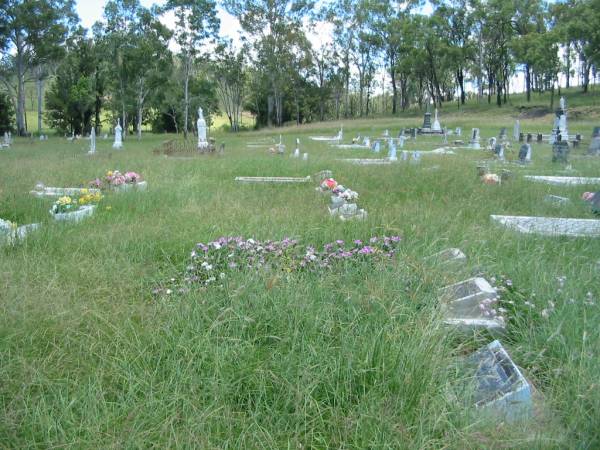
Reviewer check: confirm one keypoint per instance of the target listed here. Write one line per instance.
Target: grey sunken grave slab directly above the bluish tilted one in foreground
(470, 305)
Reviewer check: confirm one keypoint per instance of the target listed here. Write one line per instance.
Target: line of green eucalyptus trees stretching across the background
(124, 66)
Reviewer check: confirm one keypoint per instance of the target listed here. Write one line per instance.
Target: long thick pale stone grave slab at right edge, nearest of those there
(550, 226)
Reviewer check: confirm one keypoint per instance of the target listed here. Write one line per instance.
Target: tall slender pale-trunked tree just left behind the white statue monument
(196, 24)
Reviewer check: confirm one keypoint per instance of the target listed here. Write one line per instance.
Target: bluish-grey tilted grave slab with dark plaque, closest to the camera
(495, 385)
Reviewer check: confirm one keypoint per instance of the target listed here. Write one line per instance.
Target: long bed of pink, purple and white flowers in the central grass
(212, 262)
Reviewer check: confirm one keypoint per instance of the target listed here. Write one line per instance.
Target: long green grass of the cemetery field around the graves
(348, 358)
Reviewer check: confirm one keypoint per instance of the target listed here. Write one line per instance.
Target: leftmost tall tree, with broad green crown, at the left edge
(32, 30)
